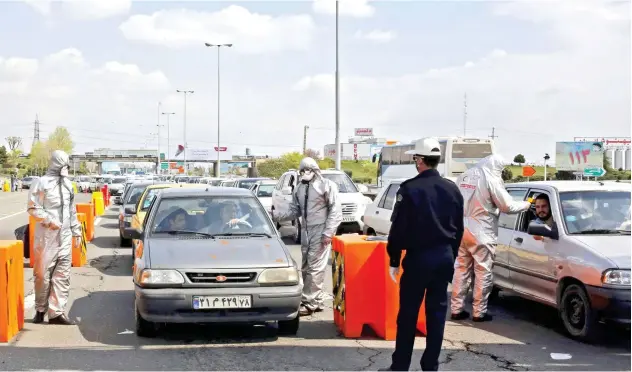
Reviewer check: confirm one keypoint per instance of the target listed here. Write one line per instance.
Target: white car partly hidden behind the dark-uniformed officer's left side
(377, 216)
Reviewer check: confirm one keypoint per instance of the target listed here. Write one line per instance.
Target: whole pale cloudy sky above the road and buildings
(535, 71)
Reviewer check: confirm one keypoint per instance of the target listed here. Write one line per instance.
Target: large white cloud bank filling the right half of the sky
(581, 89)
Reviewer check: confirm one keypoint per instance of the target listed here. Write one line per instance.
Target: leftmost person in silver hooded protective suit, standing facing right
(51, 202)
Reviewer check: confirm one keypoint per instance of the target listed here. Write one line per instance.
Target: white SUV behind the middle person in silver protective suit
(352, 200)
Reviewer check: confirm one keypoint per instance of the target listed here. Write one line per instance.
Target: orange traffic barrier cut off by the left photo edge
(11, 289)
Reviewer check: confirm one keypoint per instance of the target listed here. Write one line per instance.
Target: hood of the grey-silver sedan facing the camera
(230, 253)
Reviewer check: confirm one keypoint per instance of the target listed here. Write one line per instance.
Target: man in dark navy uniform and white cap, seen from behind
(427, 222)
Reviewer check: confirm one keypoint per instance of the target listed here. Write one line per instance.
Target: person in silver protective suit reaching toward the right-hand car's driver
(484, 197)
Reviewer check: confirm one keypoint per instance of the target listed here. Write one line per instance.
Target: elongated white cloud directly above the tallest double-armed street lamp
(250, 33)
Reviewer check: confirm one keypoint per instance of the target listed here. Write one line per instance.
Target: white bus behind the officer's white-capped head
(457, 155)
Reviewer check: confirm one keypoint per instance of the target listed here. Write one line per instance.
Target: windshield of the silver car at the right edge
(587, 212)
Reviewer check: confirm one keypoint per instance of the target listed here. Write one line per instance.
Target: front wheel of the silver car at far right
(578, 317)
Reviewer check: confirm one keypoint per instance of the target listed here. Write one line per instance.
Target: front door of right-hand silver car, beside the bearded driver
(531, 261)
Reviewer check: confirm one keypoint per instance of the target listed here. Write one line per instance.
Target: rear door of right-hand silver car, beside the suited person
(506, 227)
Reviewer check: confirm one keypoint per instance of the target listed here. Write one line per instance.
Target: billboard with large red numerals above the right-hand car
(575, 156)
